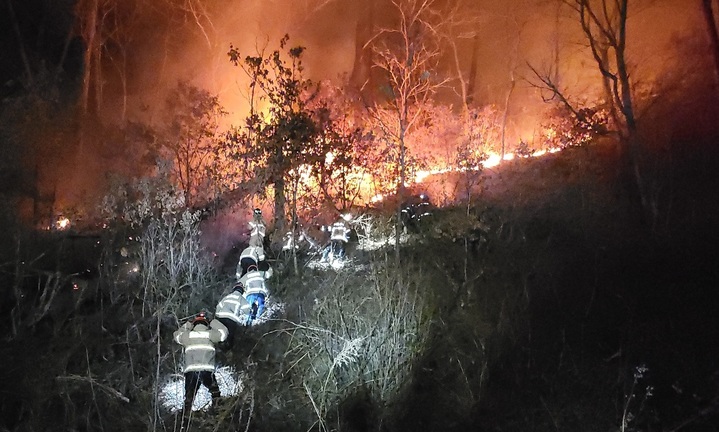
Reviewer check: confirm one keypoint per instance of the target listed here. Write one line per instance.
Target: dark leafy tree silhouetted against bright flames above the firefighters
(308, 142)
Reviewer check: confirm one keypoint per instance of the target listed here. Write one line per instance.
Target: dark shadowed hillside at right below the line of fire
(582, 290)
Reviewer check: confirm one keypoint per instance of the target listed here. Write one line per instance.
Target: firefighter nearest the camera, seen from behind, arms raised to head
(198, 338)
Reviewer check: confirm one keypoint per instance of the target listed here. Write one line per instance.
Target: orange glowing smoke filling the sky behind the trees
(190, 40)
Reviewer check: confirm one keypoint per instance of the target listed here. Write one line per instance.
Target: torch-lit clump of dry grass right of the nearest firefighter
(365, 335)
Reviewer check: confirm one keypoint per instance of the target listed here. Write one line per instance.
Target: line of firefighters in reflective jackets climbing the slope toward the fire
(245, 303)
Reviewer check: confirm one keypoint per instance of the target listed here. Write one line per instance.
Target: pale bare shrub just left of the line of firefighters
(165, 236)
